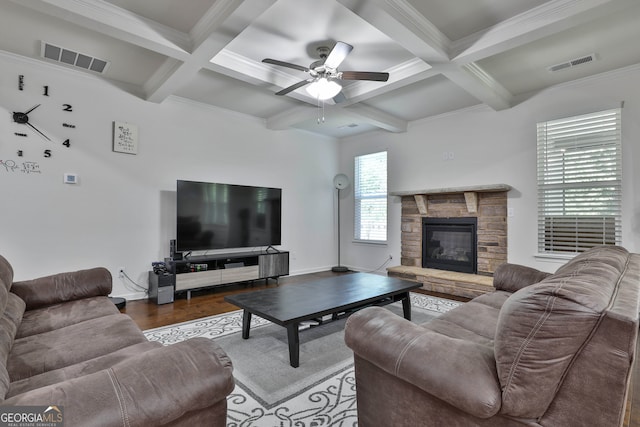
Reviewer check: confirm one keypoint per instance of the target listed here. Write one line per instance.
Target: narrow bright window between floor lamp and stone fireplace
(370, 189)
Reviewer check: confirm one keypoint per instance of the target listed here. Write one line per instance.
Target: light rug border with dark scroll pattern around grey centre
(326, 401)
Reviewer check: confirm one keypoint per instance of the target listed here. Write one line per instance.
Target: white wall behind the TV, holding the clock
(122, 212)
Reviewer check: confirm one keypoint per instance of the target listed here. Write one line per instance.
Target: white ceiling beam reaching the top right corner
(547, 19)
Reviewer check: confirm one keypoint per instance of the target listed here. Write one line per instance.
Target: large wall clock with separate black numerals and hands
(31, 116)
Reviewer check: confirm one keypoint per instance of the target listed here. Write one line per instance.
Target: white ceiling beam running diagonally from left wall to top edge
(224, 21)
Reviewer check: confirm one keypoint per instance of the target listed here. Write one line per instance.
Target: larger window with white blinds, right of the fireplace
(579, 182)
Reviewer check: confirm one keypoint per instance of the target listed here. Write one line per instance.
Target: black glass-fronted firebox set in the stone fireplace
(450, 244)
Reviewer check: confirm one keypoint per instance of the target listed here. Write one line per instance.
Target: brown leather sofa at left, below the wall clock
(64, 343)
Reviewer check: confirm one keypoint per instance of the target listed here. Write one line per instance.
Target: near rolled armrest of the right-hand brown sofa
(459, 372)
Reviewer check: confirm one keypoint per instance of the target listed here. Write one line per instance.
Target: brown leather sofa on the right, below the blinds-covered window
(541, 350)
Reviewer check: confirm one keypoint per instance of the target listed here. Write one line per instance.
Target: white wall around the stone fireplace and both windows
(495, 148)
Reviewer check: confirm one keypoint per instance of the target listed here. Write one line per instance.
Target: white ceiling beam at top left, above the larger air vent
(118, 23)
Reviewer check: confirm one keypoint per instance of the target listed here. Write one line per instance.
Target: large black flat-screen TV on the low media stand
(224, 216)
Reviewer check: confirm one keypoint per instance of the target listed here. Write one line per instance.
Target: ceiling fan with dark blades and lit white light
(324, 73)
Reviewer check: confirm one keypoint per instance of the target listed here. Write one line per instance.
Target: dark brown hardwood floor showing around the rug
(209, 302)
